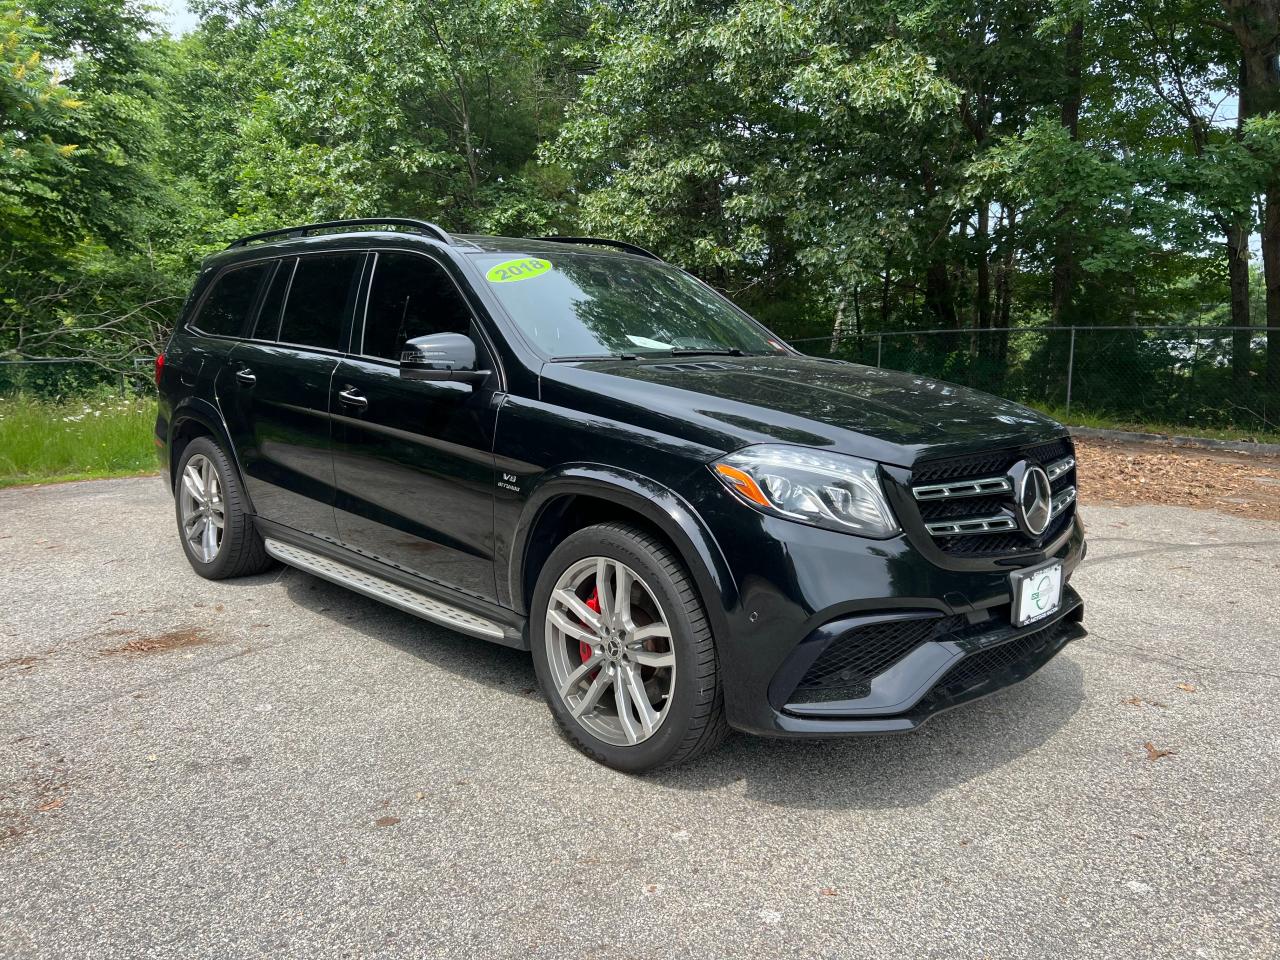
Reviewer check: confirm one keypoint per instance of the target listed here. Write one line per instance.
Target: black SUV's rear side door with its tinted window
(276, 390)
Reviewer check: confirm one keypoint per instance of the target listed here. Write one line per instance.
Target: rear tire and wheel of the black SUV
(239, 547)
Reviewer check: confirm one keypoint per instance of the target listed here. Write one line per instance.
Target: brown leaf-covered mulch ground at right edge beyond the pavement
(1233, 483)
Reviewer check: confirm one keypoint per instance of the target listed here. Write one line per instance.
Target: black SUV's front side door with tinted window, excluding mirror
(414, 460)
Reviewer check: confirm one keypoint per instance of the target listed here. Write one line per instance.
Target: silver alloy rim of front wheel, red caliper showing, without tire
(615, 670)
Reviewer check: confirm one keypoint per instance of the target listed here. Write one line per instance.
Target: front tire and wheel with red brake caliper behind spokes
(687, 696)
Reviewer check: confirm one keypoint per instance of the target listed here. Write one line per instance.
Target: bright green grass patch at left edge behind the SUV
(75, 440)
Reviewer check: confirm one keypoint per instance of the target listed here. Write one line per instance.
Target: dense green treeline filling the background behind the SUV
(840, 167)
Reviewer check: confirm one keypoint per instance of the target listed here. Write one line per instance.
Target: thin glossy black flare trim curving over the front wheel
(660, 505)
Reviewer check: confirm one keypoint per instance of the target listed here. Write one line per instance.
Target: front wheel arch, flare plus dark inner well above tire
(582, 496)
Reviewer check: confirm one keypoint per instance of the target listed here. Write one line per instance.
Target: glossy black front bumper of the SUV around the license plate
(801, 591)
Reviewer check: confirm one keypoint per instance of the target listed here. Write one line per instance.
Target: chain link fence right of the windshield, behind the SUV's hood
(1158, 377)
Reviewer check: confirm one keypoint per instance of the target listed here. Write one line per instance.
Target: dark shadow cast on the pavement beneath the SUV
(877, 772)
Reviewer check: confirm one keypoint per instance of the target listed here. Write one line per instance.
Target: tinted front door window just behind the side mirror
(412, 296)
